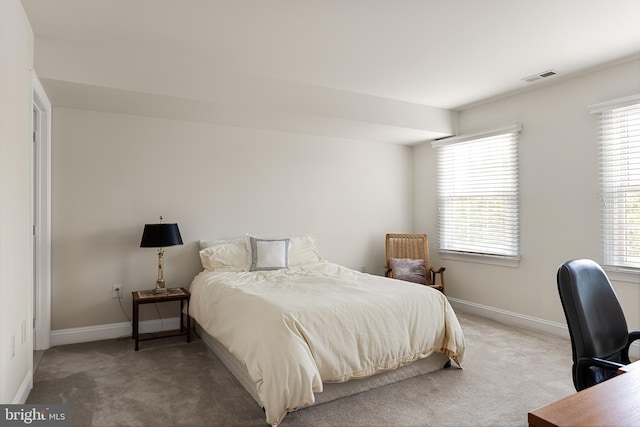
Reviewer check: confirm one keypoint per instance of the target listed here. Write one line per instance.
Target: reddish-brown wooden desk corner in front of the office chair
(615, 402)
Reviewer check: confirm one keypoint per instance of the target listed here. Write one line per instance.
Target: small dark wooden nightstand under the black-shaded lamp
(148, 297)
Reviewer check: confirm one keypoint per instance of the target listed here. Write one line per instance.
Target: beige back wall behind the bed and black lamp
(113, 173)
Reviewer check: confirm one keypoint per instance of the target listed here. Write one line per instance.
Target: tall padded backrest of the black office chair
(595, 319)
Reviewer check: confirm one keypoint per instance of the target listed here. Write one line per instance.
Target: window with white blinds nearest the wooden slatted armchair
(478, 194)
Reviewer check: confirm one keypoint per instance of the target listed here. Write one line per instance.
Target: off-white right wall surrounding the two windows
(559, 204)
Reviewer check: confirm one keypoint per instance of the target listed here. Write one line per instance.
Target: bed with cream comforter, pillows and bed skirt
(292, 326)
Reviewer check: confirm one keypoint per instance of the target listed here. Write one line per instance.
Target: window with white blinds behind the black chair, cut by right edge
(620, 174)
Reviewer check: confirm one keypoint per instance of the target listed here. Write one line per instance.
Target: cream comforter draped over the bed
(298, 327)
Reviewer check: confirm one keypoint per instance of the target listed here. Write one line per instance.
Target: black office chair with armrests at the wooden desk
(600, 339)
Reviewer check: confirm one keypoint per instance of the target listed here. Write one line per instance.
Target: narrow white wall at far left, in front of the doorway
(16, 59)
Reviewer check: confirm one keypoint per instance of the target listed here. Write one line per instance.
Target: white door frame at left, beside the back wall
(41, 212)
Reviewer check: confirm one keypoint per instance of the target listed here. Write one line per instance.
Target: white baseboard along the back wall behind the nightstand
(110, 331)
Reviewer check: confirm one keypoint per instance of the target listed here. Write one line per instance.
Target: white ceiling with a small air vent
(445, 54)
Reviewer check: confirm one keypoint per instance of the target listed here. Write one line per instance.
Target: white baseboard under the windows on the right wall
(522, 321)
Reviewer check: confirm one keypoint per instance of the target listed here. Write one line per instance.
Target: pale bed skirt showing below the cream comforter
(331, 391)
